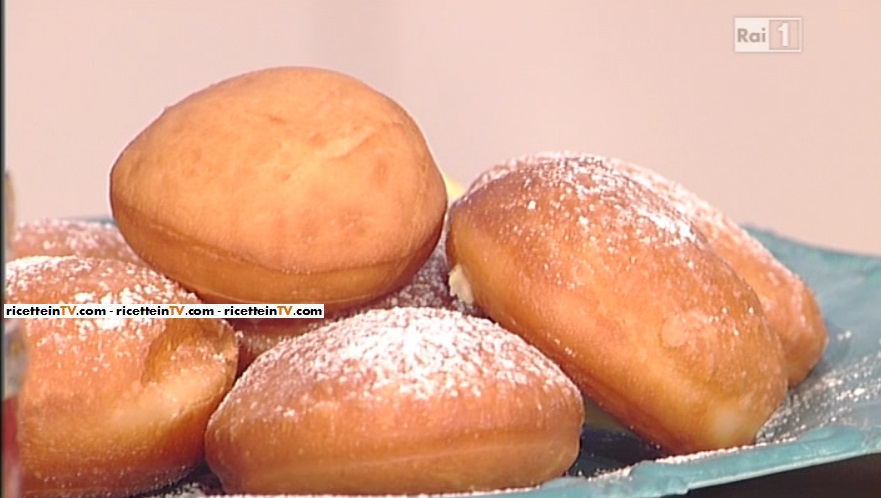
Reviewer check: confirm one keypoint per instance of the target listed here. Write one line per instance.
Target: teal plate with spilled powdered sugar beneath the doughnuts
(835, 414)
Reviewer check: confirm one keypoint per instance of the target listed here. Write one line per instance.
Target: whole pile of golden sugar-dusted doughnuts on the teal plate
(459, 337)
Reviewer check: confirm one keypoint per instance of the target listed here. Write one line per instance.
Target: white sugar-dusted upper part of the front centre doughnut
(404, 353)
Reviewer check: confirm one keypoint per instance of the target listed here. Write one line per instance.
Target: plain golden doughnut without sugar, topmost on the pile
(285, 185)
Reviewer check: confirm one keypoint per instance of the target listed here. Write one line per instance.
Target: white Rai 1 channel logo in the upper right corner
(767, 34)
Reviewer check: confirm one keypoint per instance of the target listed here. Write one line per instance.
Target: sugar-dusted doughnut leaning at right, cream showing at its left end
(626, 295)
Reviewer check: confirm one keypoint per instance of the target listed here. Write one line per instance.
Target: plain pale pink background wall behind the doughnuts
(790, 142)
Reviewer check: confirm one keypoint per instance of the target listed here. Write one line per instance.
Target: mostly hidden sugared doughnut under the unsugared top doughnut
(427, 289)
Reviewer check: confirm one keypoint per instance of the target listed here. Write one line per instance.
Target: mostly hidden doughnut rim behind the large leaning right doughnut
(789, 305)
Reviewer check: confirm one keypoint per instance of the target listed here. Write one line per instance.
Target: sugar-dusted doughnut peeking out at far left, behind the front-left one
(68, 237)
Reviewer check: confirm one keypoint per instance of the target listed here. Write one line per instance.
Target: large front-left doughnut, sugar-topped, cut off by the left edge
(113, 406)
